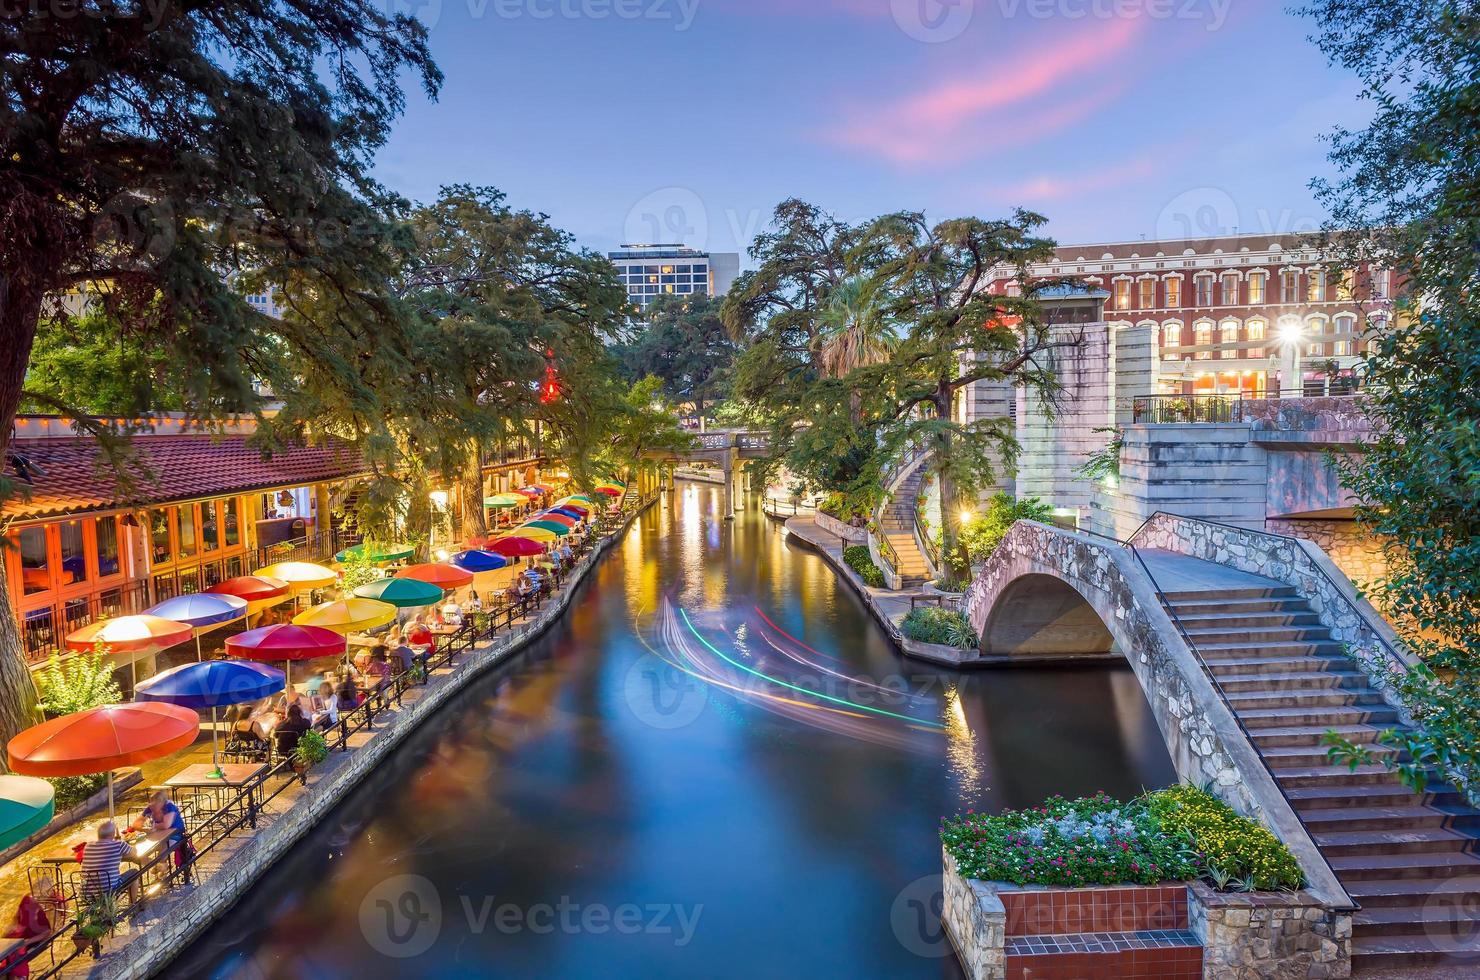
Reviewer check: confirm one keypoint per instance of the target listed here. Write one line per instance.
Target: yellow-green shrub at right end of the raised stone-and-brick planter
(1234, 846)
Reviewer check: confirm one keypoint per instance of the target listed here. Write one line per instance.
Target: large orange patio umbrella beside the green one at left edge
(103, 739)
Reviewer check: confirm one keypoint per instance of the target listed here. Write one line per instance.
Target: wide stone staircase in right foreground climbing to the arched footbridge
(1408, 859)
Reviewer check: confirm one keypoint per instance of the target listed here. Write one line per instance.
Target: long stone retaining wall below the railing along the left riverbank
(155, 948)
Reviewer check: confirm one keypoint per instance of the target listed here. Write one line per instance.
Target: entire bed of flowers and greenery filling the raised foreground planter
(1179, 834)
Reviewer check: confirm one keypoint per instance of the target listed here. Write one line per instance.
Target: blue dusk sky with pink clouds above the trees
(637, 121)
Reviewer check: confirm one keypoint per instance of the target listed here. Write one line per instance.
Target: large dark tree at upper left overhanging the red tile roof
(164, 156)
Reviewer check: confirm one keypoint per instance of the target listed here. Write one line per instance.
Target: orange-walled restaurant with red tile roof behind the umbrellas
(193, 509)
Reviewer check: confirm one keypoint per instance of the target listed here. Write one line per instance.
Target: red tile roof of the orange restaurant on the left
(75, 476)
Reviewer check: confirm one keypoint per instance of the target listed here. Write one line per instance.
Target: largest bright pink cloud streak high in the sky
(946, 121)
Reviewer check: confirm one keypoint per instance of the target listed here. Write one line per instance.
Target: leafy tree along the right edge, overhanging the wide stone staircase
(1408, 198)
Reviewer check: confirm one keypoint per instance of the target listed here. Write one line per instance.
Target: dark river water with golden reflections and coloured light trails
(716, 766)
